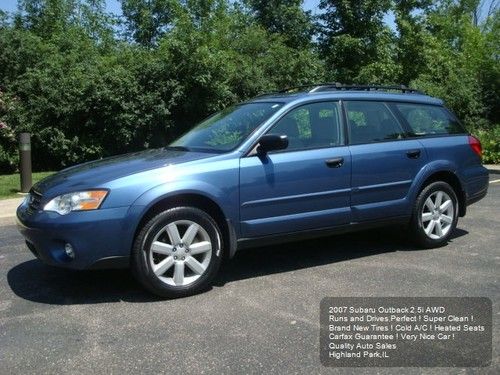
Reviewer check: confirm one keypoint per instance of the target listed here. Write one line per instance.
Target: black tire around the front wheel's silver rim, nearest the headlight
(141, 261)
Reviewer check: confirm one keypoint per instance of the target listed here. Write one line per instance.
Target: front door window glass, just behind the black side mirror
(313, 125)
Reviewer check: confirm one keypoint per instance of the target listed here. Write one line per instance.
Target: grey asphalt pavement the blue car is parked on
(262, 315)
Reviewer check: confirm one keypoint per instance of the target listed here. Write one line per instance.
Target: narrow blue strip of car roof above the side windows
(347, 95)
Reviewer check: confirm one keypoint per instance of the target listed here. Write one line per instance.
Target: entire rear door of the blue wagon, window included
(384, 161)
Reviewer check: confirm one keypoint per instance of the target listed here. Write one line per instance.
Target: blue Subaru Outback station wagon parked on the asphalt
(281, 166)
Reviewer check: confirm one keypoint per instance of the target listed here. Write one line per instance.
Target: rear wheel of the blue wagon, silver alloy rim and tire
(435, 215)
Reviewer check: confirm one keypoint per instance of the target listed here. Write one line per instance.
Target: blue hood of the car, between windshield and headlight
(95, 173)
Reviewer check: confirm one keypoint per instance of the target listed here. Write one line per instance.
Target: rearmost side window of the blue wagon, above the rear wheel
(428, 119)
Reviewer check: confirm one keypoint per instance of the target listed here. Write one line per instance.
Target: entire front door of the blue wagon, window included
(307, 185)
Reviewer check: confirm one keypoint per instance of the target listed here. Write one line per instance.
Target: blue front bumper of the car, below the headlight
(98, 237)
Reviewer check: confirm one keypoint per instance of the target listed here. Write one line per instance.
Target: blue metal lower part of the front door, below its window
(296, 190)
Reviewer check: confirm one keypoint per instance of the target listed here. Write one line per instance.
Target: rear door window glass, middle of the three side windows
(371, 122)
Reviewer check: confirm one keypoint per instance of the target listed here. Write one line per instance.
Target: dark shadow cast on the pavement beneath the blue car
(34, 281)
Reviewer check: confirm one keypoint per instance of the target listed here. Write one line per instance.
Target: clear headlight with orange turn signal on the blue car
(78, 201)
